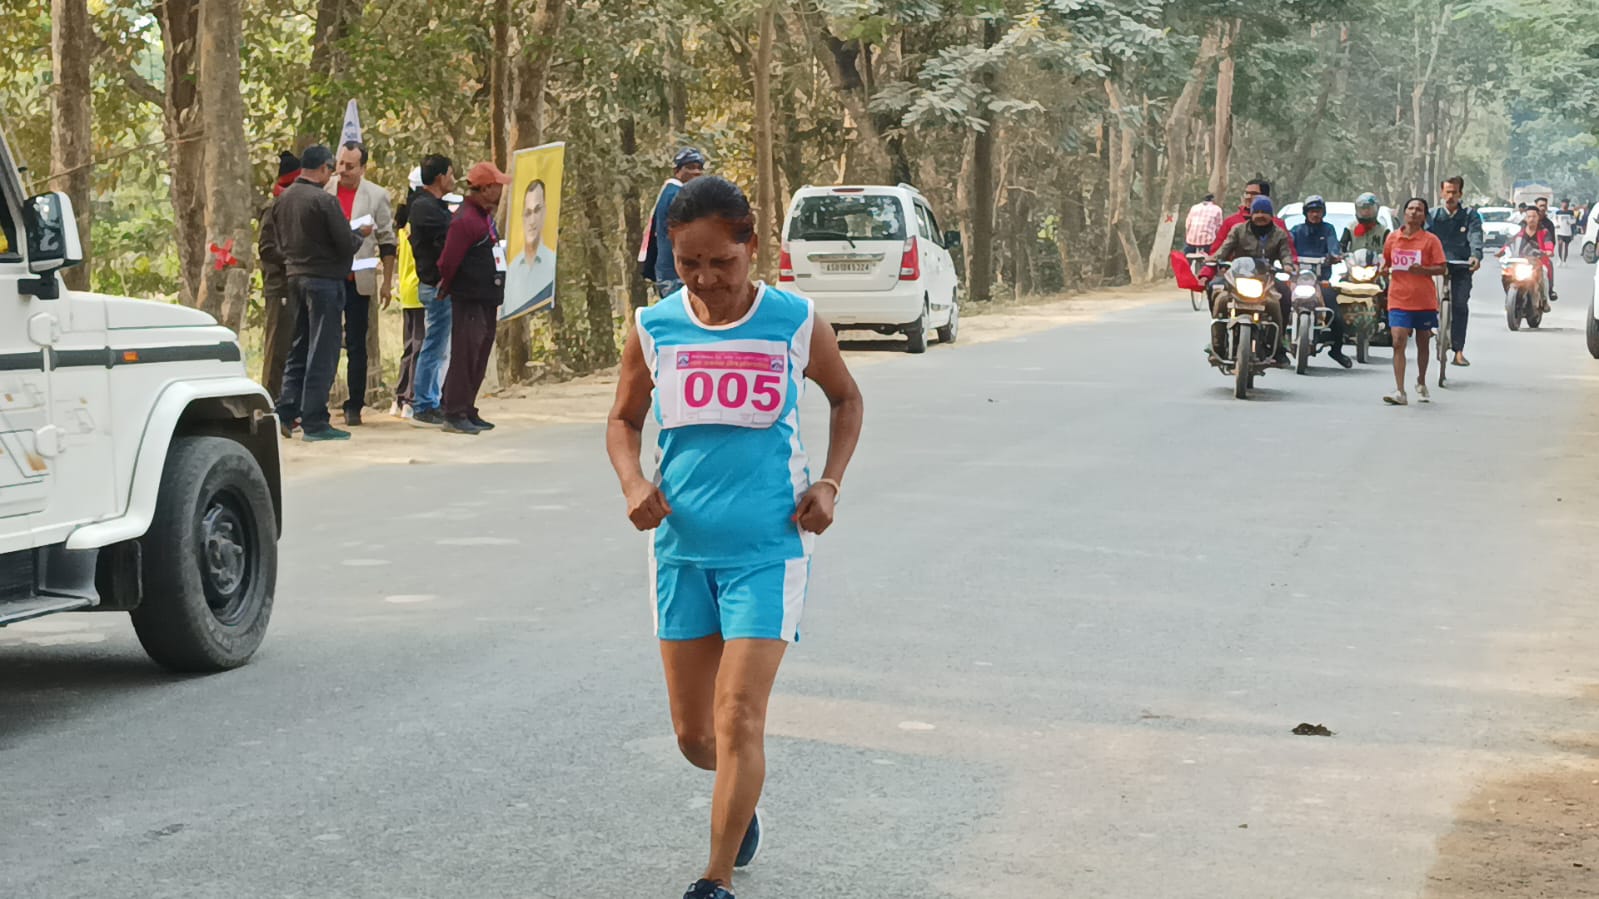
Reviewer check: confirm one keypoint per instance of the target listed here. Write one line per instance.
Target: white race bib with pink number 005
(740, 383)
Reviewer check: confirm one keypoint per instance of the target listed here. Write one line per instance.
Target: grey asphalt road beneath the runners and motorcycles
(1075, 604)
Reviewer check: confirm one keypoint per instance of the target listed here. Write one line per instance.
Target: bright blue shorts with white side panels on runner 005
(760, 602)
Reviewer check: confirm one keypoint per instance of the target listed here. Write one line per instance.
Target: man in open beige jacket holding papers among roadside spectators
(361, 199)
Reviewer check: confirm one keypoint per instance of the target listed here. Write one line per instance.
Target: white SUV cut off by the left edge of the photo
(138, 461)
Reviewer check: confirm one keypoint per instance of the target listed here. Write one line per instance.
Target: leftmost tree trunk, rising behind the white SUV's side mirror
(71, 151)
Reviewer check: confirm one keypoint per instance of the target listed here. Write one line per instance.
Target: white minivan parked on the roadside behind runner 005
(874, 258)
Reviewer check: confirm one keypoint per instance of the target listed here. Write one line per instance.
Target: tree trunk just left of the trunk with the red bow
(185, 140)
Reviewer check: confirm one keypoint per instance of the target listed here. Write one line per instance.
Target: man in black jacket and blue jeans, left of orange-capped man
(429, 226)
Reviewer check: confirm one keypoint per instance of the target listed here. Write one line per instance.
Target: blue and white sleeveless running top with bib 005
(730, 458)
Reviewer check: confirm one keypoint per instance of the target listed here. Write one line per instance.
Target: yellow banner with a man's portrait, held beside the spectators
(533, 222)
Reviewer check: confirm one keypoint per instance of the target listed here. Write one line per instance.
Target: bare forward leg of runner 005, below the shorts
(744, 685)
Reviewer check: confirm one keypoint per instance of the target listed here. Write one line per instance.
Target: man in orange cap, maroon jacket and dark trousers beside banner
(473, 274)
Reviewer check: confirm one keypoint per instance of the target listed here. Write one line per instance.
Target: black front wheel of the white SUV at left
(210, 559)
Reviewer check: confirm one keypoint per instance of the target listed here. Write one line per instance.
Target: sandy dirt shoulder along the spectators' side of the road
(385, 441)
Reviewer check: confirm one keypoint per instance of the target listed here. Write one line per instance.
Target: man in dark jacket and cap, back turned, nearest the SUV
(319, 249)
